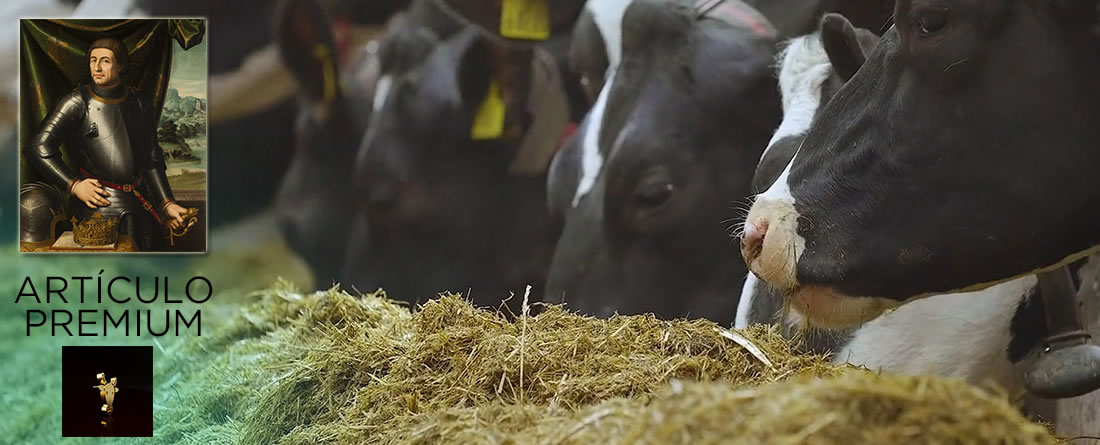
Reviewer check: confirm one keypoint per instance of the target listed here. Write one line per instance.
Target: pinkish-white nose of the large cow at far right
(779, 254)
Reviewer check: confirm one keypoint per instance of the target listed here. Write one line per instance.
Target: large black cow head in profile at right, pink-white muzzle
(960, 155)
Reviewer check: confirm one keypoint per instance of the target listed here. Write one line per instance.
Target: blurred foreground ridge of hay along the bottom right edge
(854, 408)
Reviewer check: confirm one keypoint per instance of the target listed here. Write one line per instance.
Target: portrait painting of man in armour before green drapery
(113, 136)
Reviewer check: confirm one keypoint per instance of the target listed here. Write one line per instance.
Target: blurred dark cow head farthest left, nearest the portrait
(310, 204)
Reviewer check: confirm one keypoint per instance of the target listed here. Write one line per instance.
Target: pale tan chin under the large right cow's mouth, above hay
(822, 307)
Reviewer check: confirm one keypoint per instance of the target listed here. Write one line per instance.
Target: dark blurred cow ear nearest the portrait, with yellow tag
(304, 36)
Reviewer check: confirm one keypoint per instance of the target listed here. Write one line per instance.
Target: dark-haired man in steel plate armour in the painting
(112, 133)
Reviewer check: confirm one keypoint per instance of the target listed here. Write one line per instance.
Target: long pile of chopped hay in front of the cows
(327, 368)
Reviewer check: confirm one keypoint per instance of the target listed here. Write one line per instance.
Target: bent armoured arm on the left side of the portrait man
(45, 152)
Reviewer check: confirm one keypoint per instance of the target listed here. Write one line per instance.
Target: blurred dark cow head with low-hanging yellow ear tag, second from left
(452, 174)
